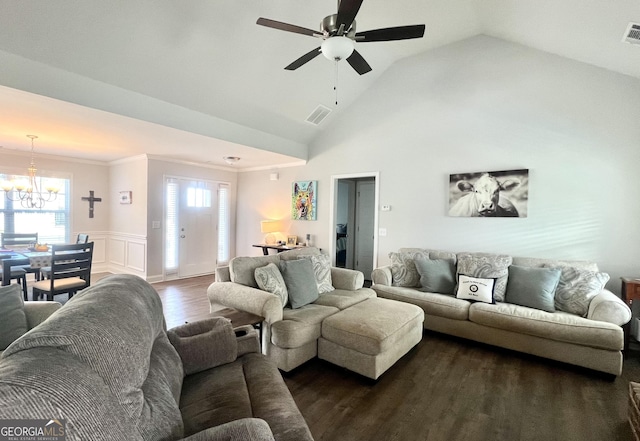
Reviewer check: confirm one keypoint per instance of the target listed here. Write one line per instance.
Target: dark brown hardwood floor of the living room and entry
(446, 389)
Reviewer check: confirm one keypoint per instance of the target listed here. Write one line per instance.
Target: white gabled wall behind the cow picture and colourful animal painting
(476, 105)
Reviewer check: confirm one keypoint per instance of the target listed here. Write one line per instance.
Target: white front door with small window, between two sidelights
(197, 220)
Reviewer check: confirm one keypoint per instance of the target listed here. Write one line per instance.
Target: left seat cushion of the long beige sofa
(440, 305)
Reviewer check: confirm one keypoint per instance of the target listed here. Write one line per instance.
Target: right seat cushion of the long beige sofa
(558, 326)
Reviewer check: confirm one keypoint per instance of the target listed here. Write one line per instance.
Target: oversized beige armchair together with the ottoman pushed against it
(347, 325)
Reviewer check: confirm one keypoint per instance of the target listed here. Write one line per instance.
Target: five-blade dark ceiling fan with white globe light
(339, 34)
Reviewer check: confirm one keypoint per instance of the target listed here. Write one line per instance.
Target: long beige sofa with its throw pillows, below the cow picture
(585, 330)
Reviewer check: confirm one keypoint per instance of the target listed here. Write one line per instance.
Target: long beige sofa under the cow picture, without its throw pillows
(594, 341)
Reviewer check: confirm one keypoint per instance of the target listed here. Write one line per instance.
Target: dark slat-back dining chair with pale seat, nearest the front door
(70, 271)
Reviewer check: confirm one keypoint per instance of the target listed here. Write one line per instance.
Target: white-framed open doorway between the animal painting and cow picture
(354, 222)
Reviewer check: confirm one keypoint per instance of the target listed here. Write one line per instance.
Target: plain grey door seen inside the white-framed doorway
(364, 223)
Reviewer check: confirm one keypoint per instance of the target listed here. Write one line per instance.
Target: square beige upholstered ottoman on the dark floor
(370, 336)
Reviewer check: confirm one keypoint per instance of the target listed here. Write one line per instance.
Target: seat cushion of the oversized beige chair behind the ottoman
(300, 326)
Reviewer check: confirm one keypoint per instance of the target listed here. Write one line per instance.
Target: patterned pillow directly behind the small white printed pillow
(489, 266)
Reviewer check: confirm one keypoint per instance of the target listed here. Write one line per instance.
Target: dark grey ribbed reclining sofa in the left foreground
(105, 366)
